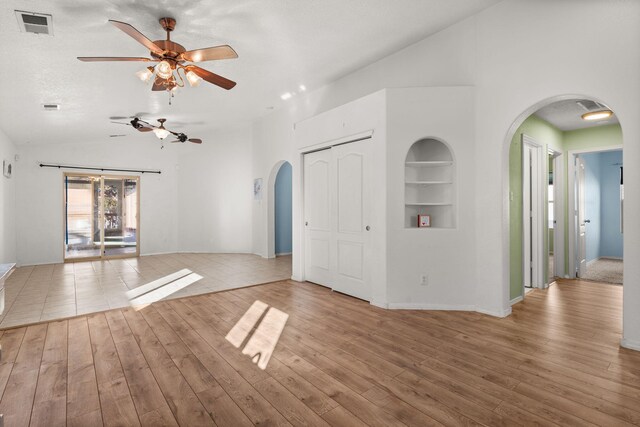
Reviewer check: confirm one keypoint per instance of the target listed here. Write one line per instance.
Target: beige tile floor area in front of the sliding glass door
(54, 291)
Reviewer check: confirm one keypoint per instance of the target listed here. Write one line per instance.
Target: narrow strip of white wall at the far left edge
(7, 208)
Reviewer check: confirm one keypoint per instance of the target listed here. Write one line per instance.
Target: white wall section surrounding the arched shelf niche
(445, 255)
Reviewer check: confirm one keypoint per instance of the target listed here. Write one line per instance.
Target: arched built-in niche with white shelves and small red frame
(430, 185)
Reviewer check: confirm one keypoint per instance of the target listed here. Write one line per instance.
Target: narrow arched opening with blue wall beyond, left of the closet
(279, 210)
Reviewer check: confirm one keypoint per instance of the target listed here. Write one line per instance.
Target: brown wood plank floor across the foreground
(339, 361)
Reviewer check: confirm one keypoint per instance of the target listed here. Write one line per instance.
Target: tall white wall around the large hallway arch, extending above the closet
(517, 54)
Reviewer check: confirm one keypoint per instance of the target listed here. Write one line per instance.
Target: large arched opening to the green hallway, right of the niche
(565, 195)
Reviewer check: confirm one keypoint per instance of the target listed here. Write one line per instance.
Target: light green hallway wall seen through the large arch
(551, 138)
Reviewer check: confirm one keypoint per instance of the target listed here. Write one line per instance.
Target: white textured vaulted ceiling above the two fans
(281, 44)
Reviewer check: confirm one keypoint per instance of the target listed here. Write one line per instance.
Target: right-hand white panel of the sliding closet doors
(350, 251)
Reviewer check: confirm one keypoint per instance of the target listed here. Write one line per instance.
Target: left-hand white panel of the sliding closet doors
(317, 216)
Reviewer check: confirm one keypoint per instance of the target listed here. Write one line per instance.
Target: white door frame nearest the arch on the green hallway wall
(532, 216)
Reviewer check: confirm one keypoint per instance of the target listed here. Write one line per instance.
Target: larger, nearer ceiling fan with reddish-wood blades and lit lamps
(170, 57)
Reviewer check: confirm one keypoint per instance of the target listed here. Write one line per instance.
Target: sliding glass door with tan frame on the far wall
(101, 216)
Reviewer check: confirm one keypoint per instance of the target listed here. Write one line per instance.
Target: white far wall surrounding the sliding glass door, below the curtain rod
(196, 204)
